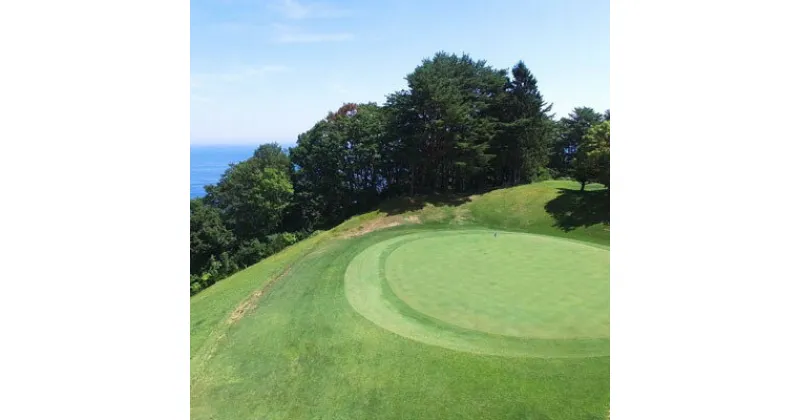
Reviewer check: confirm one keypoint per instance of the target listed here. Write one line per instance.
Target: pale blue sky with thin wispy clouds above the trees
(268, 70)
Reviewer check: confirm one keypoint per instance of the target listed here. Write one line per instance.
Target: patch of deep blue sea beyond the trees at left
(208, 163)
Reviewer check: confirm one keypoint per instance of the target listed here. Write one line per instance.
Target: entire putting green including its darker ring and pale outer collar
(511, 294)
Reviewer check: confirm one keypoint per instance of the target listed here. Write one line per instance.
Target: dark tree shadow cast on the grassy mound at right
(573, 209)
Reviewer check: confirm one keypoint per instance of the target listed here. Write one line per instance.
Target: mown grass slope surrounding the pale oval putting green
(304, 353)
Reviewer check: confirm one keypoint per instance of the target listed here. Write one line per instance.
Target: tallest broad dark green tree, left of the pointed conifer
(446, 123)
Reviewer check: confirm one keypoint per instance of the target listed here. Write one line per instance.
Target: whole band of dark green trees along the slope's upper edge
(460, 126)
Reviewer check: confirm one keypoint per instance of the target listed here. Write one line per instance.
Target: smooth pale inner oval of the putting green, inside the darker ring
(508, 284)
